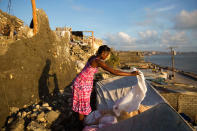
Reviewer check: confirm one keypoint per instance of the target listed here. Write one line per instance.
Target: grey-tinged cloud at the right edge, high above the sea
(186, 20)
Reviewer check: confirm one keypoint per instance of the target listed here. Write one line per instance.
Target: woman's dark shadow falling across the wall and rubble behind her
(63, 101)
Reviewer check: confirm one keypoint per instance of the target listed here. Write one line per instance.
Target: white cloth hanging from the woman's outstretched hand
(134, 97)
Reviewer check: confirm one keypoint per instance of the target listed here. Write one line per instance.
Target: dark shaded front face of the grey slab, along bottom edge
(159, 118)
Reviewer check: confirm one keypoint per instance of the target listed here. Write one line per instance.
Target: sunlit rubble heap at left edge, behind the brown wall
(12, 29)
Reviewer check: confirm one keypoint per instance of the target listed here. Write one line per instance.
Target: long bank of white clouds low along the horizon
(148, 40)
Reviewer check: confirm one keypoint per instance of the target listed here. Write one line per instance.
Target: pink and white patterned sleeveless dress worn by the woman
(82, 88)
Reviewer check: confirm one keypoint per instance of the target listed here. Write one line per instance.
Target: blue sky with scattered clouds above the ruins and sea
(145, 25)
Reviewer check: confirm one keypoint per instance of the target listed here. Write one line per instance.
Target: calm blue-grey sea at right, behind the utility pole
(185, 62)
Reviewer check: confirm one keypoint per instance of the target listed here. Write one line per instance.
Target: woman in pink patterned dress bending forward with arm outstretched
(83, 83)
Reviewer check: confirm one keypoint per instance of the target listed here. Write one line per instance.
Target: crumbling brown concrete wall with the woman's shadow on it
(32, 68)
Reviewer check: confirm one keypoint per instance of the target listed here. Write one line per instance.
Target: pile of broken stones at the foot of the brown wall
(54, 114)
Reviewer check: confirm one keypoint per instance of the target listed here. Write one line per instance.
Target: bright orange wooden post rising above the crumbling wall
(34, 16)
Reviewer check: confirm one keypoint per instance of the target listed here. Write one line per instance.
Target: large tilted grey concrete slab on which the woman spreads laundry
(160, 117)
